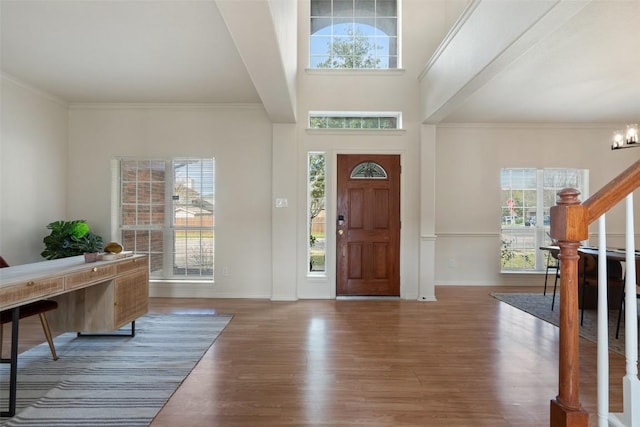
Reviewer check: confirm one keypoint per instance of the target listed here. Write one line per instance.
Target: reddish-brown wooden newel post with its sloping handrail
(570, 221)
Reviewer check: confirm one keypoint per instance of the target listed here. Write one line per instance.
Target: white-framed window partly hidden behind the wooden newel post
(526, 198)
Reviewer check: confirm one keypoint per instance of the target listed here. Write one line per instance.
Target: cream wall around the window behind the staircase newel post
(469, 159)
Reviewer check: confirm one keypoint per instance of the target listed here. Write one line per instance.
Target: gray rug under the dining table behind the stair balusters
(539, 306)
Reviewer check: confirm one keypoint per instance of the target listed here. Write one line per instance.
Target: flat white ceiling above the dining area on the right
(585, 71)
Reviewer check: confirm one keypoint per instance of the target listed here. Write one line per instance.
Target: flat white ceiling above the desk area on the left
(124, 51)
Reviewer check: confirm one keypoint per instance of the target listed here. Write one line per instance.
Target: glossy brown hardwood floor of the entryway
(465, 360)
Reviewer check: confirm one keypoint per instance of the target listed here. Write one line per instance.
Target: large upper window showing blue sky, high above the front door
(355, 34)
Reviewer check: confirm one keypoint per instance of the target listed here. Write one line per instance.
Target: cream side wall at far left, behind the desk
(33, 162)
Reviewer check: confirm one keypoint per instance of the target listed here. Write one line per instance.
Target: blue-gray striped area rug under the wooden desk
(109, 381)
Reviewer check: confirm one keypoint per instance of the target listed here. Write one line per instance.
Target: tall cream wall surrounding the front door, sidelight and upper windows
(423, 25)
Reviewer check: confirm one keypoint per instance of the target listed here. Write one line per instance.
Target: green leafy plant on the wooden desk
(70, 238)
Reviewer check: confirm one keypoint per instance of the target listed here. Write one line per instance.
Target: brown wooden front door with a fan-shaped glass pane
(368, 239)
